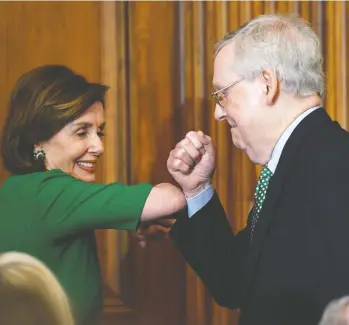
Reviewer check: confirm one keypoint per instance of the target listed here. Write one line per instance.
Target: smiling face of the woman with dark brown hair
(76, 148)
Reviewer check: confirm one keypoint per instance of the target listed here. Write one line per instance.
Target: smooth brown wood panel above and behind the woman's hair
(69, 37)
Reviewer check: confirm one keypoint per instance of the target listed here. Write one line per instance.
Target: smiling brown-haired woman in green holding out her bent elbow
(51, 205)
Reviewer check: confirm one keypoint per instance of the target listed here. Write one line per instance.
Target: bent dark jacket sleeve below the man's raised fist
(213, 251)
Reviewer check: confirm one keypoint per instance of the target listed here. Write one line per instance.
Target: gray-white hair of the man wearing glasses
(285, 44)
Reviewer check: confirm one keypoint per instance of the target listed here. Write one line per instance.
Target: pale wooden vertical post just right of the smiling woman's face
(114, 245)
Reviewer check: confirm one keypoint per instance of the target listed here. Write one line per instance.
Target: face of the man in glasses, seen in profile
(244, 106)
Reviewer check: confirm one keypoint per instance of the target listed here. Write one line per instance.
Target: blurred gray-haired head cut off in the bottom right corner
(336, 312)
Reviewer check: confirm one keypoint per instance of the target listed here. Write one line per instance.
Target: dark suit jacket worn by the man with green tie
(299, 257)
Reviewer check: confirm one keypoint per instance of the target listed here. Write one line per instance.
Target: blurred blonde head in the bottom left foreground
(30, 294)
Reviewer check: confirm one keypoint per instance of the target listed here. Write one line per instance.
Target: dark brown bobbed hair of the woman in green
(43, 101)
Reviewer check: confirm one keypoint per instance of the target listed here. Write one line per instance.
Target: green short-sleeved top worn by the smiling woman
(52, 216)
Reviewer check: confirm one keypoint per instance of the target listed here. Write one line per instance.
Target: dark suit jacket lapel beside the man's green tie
(278, 180)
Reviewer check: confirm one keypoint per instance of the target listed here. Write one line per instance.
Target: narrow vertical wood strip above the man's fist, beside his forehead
(193, 108)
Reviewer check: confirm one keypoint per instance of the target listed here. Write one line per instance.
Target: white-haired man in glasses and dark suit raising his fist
(292, 258)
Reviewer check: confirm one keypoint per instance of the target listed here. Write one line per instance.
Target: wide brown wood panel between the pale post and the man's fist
(154, 128)
